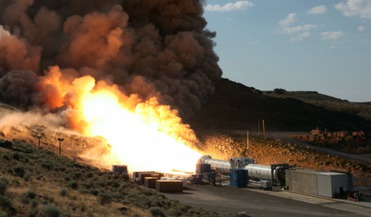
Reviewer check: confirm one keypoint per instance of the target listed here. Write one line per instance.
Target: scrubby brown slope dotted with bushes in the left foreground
(37, 182)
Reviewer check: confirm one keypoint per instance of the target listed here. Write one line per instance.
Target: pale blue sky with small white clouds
(317, 45)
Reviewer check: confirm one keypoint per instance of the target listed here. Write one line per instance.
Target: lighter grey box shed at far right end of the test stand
(331, 184)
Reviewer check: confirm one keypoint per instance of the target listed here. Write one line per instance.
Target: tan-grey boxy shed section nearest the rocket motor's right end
(302, 181)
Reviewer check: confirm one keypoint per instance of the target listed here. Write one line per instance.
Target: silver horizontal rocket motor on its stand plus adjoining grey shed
(240, 171)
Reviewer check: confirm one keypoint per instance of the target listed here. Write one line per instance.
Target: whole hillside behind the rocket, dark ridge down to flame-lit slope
(223, 122)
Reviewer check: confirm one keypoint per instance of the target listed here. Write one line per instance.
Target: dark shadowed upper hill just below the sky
(235, 106)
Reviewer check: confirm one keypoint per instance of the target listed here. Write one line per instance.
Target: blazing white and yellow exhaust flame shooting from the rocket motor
(148, 137)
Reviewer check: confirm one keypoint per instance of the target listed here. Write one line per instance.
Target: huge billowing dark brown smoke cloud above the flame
(152, 48)
